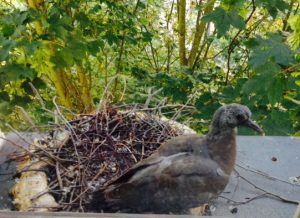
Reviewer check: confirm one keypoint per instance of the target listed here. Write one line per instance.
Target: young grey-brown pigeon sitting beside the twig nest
(185, 172)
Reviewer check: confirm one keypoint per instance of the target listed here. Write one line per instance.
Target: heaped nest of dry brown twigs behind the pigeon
(87, 152)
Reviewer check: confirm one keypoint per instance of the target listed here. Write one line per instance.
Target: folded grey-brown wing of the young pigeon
(173, 177)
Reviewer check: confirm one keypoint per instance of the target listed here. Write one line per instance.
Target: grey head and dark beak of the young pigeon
(234, 115)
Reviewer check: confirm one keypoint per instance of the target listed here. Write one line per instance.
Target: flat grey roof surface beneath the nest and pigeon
(264, 164)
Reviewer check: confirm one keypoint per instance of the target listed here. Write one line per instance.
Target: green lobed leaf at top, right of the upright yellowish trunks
(223, 20)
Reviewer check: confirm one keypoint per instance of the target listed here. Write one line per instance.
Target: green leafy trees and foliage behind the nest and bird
(202, 53)
